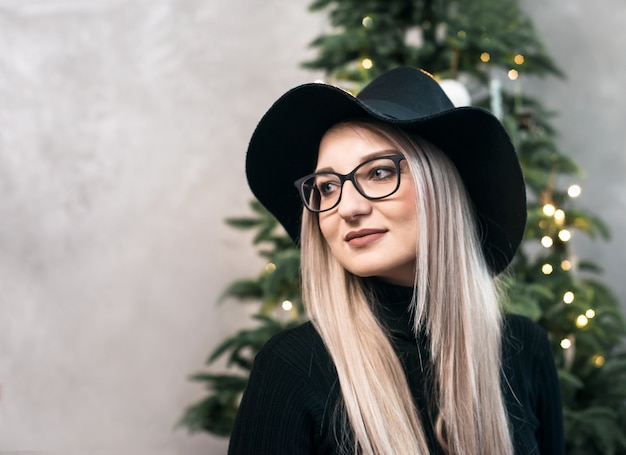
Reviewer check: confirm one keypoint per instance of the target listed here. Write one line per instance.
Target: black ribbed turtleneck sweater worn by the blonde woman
(290, 404)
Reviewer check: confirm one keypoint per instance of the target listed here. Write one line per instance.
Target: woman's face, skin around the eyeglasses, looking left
(370, 238)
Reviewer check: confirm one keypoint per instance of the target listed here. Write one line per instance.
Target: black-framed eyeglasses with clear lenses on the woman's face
(376, 178)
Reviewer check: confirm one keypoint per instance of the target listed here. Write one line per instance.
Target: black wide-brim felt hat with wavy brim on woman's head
(285, 144)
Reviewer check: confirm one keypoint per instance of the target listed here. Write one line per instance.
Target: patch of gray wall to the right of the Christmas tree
(588, 41)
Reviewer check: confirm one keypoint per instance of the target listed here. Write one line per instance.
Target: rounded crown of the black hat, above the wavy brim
(405, 94)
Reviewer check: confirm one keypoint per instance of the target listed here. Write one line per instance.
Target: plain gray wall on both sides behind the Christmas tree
(123, 126)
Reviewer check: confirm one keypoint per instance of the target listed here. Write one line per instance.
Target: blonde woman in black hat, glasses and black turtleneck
(406, 209)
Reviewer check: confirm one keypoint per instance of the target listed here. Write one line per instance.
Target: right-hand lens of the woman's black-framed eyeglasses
(378, 178)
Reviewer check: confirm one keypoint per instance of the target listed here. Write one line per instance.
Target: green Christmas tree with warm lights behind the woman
(480, 50)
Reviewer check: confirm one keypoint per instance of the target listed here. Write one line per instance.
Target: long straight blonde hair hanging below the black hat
(455, 301)
